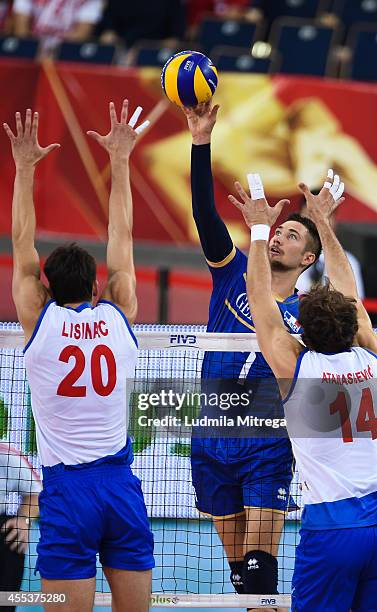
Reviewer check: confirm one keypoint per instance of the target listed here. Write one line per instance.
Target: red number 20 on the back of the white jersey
(68, 388)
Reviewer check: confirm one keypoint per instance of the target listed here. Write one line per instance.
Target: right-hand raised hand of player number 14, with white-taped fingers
(322, 206)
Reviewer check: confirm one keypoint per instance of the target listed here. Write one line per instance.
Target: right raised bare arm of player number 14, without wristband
(320, 209)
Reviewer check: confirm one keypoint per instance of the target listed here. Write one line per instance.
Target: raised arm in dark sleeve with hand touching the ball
(214, 237)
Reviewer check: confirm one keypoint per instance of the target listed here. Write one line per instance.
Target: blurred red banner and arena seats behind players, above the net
(298, 94)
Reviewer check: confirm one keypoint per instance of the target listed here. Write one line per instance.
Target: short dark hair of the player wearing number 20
(71, 272)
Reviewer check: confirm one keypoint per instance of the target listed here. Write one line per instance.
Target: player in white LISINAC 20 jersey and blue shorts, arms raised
(79, 359)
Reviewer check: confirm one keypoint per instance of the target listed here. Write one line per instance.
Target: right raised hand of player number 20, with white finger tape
(121, 139)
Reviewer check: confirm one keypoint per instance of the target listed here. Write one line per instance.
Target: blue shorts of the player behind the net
(231, 474)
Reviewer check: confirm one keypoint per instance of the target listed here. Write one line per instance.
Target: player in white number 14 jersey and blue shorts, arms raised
(329, 390)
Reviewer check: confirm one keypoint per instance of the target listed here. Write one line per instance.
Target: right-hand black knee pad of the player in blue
(260, 573)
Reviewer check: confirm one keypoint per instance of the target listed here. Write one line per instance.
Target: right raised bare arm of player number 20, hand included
(119, 143)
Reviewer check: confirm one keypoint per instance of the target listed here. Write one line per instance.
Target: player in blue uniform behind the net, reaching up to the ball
(243, 483)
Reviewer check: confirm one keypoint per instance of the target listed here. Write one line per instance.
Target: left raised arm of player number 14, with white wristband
(279, 348)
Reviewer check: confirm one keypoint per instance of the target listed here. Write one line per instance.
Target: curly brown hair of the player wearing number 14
(329, 320)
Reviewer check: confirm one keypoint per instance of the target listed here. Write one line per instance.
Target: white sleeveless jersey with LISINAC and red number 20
(78, 362)
